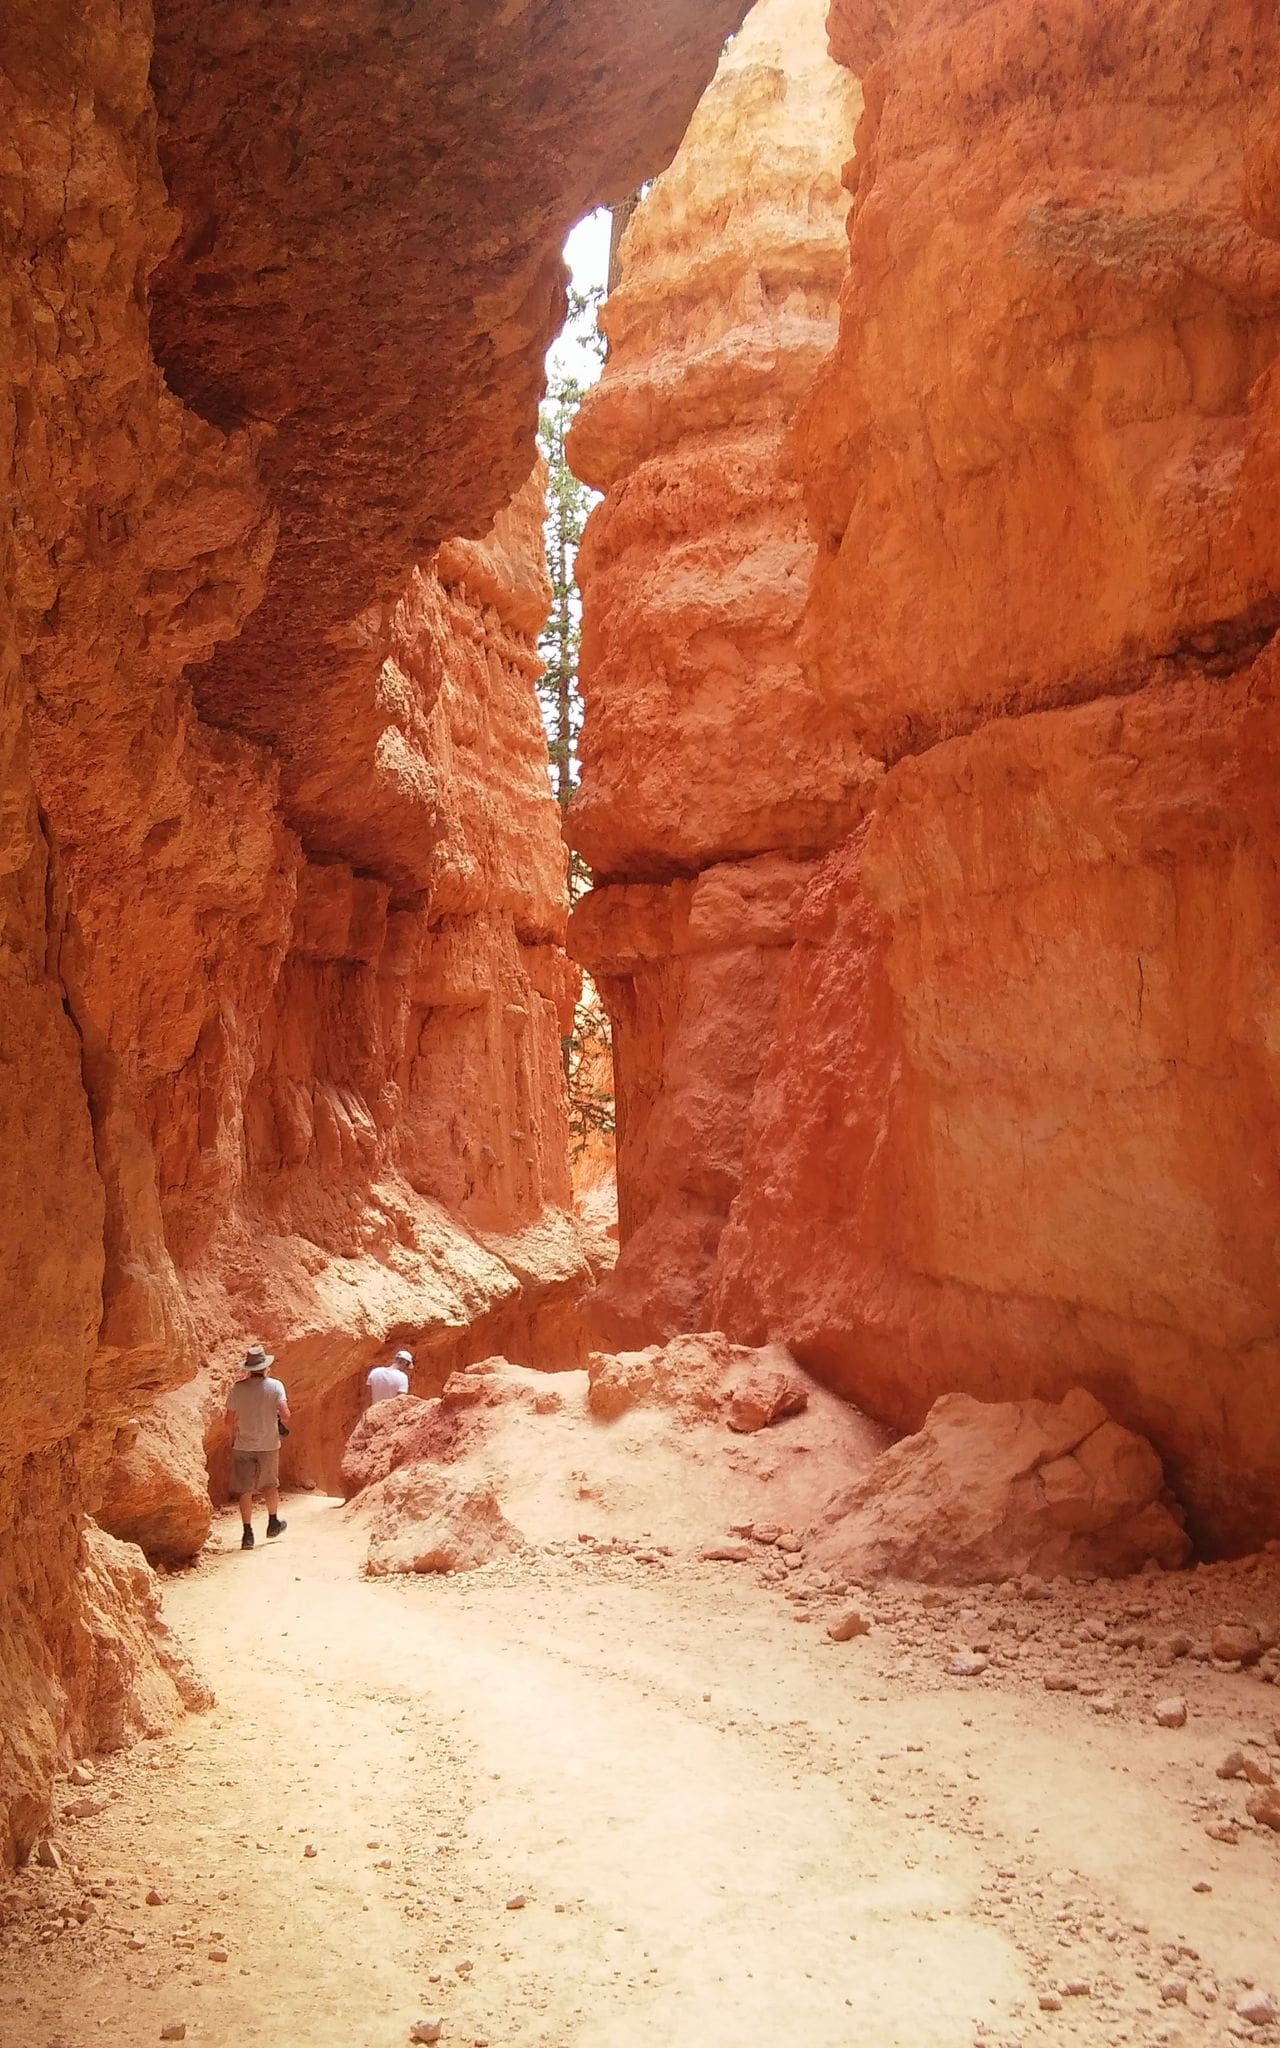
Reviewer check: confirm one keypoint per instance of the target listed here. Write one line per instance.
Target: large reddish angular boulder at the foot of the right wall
(988, 1490)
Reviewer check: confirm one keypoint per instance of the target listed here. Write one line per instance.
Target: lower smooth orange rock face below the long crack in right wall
(1039, 1144)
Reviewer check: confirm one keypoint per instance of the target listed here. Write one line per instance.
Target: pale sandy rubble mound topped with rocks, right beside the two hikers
(675, 1443)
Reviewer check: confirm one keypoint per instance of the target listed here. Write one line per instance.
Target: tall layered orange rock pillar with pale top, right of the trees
(712, 771)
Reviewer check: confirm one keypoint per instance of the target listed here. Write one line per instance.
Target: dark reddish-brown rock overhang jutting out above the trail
(370, 271)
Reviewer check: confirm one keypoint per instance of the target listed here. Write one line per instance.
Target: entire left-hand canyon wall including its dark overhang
(282, 916)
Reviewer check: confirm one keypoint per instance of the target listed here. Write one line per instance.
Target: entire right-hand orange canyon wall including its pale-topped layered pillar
(1002, 1099)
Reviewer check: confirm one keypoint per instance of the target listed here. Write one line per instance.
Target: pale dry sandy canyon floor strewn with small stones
(726, 1828)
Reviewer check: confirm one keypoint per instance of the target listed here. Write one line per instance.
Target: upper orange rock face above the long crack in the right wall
(1025, 454)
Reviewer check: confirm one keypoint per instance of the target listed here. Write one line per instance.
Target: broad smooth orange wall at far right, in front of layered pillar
(1017, 1121)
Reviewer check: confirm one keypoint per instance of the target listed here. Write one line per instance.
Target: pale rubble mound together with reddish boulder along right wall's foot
(703, 1437)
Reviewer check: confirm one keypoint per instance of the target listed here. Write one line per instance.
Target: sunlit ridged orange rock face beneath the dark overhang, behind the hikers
(394, 1121)
